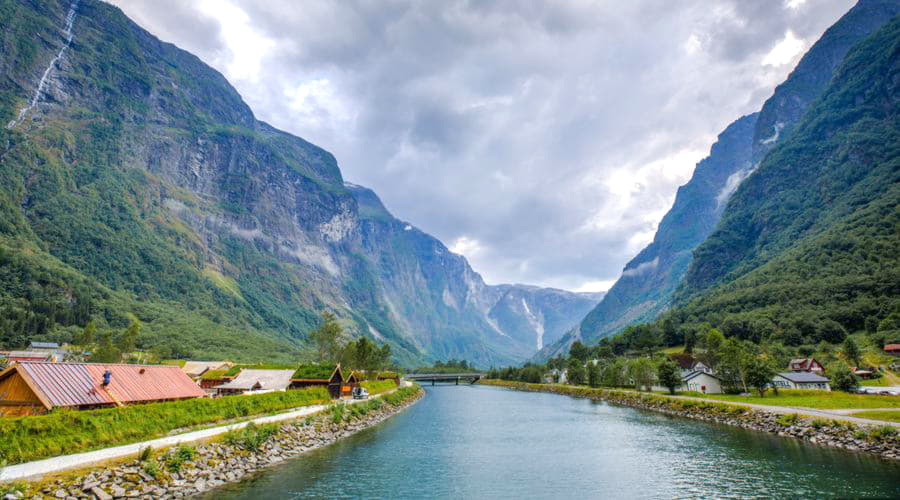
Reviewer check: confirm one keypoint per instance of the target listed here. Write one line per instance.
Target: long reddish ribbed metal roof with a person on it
(79, 384)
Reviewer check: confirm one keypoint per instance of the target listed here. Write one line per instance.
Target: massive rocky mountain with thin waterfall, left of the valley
(136, 183)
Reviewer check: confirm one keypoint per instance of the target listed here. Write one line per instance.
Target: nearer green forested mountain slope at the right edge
(811, 238)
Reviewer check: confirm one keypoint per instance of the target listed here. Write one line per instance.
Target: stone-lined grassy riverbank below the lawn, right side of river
(881, 440)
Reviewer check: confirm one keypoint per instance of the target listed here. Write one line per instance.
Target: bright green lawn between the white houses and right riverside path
(823, 400)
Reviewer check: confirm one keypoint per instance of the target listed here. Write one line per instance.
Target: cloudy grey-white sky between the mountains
(542, 140)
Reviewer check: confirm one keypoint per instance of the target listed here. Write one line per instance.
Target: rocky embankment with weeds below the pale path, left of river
(186, 471)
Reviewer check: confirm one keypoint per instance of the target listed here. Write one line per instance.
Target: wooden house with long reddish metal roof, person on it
(34, 388)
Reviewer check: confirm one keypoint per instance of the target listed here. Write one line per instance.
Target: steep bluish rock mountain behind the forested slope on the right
(649, 281)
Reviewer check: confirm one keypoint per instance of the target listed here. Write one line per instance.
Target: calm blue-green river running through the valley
(487, 442)
